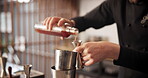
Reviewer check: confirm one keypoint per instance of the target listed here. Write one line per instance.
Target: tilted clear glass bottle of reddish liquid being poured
(56, 30)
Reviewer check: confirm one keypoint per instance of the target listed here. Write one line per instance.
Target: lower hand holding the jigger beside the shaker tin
(93, 52)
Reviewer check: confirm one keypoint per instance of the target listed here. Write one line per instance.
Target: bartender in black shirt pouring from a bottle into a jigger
(131, 17)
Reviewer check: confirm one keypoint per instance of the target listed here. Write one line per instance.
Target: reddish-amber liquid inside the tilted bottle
(61, 34)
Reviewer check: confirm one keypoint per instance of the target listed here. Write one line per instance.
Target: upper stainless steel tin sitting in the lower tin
(65, 60)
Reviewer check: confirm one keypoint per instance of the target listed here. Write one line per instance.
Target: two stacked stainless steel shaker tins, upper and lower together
(65, 64)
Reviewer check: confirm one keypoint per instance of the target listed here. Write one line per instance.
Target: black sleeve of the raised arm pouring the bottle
(97, 18)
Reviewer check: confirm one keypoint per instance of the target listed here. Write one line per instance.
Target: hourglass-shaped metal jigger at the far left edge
(3, 61)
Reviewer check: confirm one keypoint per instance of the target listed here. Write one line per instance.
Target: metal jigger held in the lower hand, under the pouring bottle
(79, 64)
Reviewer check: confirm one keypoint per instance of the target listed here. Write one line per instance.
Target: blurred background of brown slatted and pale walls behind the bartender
(22, 45)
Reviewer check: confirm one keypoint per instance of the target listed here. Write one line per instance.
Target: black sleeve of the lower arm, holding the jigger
(132, 59)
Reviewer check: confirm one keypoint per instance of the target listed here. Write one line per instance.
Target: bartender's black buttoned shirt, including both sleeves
(133, 35)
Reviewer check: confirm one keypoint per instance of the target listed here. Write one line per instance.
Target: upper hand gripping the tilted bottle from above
(57, 21)
